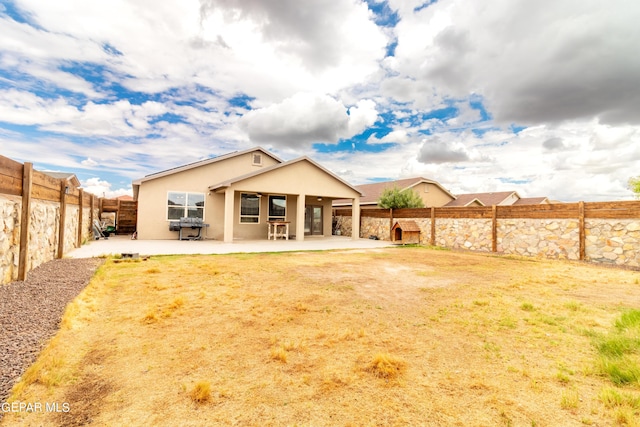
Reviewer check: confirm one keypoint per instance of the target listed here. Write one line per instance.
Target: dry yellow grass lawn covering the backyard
(398, 336)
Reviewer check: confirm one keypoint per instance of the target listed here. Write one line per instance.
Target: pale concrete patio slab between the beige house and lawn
(116, 245)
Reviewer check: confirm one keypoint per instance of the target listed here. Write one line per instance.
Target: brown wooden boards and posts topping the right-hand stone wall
(580, 212)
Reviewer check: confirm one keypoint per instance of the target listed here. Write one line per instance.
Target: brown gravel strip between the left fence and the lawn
(30, 313)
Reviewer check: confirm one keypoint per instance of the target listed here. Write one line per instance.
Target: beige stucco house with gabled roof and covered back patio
(238, 193)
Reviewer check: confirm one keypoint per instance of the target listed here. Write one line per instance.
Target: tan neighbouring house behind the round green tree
(431, 192)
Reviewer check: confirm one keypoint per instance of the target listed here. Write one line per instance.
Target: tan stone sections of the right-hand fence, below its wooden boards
(610, 241)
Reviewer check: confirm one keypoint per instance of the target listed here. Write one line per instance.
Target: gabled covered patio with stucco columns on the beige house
(297, 194)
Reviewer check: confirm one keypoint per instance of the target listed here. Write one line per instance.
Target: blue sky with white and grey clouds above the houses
(539, 97)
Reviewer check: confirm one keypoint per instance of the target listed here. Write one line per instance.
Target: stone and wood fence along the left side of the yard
(41, 218)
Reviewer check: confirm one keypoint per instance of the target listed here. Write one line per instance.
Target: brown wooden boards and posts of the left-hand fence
(29, 185)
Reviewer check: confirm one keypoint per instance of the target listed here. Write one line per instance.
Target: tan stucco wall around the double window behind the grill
(152, 195)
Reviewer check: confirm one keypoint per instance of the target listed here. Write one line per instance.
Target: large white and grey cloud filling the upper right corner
(533, 62)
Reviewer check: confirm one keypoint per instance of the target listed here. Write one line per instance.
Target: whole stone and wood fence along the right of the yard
(603, 232)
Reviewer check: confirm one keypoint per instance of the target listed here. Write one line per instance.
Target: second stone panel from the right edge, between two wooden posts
(547, 238)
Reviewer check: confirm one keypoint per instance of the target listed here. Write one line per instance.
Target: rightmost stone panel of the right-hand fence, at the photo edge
(613, 241)
